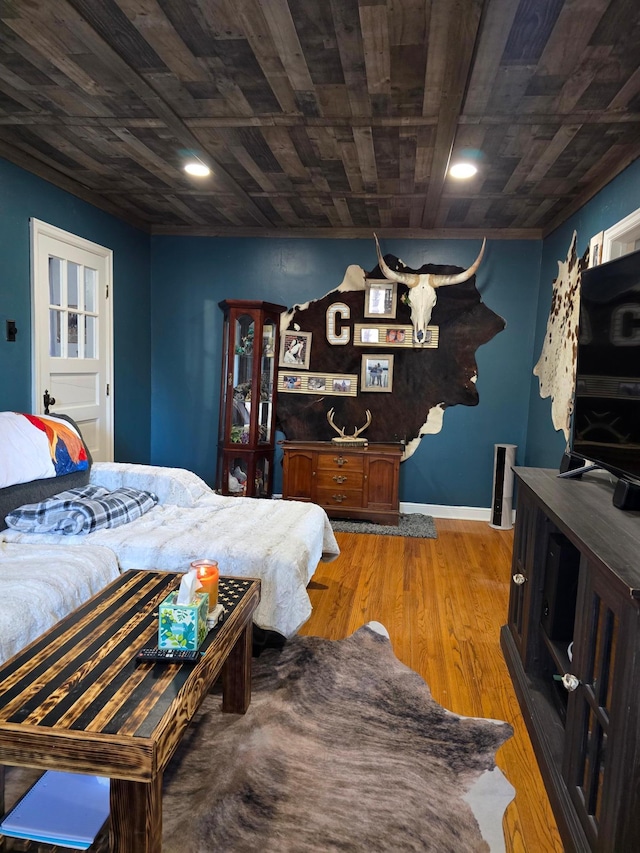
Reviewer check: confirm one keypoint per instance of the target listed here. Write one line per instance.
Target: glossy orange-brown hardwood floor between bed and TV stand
(443, 602)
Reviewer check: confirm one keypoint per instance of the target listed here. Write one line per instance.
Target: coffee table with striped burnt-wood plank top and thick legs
(75, 700)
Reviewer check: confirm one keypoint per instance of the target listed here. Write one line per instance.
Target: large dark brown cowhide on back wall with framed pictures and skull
(360, 354)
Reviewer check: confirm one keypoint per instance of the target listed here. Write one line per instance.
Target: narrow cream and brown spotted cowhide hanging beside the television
(556, 367)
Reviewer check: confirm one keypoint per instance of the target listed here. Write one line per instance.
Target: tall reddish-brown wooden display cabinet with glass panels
(246, 436)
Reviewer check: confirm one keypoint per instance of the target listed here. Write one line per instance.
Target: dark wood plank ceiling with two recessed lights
(324, 117)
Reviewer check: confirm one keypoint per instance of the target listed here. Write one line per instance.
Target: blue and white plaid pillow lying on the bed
(81, 510)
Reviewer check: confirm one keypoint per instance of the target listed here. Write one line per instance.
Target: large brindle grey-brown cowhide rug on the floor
(342, 749)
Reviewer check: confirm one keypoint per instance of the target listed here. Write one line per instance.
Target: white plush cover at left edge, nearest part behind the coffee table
(41, 584)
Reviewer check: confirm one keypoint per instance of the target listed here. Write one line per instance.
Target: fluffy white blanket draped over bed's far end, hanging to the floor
(280, 542)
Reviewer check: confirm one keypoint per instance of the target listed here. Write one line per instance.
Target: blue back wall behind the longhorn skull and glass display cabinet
(191, 275)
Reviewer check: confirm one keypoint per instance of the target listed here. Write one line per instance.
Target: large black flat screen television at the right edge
(606, 417)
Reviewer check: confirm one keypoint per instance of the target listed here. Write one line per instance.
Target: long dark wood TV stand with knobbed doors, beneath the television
(576, 578)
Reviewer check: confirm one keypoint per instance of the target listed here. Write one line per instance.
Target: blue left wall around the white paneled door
(23, 196)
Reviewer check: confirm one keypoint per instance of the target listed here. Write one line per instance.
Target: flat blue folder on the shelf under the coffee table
(67, 809)
